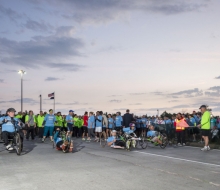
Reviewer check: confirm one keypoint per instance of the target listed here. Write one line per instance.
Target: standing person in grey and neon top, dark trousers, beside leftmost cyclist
(31, 124)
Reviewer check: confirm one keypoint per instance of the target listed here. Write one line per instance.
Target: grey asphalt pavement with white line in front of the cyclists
(93, 167)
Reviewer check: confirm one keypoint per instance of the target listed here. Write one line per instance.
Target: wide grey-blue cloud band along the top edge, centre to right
(99, 11)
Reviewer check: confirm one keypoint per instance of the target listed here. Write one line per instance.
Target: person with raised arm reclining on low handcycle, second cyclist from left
(61, 143)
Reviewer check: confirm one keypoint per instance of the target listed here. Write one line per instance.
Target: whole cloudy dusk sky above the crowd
(111, 55)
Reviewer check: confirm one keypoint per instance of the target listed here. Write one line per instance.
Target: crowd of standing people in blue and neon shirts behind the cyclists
(91, 124)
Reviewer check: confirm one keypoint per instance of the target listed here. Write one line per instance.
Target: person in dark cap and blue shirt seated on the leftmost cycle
(9, 123)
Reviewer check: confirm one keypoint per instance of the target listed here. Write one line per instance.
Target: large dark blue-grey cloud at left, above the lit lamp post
(50, 51)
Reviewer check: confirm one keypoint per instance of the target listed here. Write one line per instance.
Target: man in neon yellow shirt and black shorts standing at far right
(205, 126)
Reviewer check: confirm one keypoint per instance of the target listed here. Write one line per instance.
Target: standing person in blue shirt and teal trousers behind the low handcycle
(48, 124)
